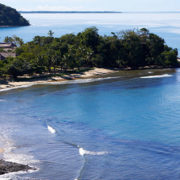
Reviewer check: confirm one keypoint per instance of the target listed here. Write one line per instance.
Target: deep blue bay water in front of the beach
(129, 127)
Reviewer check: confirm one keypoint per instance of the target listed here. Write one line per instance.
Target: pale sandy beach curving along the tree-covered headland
(88, 74)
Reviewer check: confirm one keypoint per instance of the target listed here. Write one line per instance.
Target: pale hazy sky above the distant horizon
(102, 5)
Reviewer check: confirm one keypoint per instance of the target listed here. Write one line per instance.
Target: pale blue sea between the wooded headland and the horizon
(167, 25)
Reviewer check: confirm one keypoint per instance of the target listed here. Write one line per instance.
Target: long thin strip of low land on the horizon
(70, 12)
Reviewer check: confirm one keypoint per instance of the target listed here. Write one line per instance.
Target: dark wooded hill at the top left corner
(10, 17)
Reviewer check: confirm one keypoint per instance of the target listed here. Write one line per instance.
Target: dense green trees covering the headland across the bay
(133, 48)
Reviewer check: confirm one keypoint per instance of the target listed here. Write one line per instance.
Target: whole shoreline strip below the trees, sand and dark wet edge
(95, 73)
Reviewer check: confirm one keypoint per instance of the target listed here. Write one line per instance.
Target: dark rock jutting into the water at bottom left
(7, 167)
